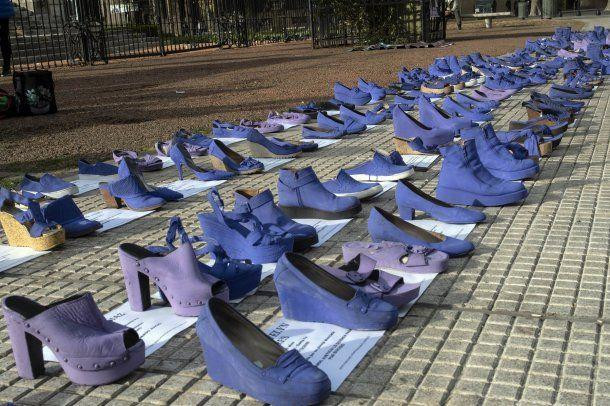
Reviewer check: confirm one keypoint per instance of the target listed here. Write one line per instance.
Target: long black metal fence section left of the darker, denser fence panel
(46, 33)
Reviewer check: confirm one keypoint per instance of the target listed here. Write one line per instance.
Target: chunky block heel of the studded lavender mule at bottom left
(27, 351)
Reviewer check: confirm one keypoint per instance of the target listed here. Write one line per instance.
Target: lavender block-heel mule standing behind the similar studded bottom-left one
(176, 274)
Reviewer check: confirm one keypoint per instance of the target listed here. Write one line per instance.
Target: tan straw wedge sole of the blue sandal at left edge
(19, 236)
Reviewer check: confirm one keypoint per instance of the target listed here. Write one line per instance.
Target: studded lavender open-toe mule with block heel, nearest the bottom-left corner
(90, 349)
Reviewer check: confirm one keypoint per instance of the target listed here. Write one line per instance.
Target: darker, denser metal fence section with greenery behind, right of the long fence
(374, 21)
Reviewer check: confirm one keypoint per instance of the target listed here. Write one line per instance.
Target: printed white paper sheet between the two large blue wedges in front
(335, 350)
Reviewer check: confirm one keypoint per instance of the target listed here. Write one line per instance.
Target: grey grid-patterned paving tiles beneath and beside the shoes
(521, 319)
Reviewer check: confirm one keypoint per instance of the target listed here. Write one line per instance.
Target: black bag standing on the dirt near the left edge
(34, 92)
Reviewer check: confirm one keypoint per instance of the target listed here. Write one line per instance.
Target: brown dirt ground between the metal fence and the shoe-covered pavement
(130, 104)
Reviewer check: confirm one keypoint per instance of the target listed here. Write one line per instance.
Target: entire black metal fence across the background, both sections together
(47, 33)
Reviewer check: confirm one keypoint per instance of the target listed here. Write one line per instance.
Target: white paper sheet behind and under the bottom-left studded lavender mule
(156, 326)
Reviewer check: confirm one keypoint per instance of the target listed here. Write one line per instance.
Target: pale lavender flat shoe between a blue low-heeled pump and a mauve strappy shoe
(398, 257)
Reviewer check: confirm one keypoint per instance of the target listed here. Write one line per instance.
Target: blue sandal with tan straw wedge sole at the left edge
(27, 228)
